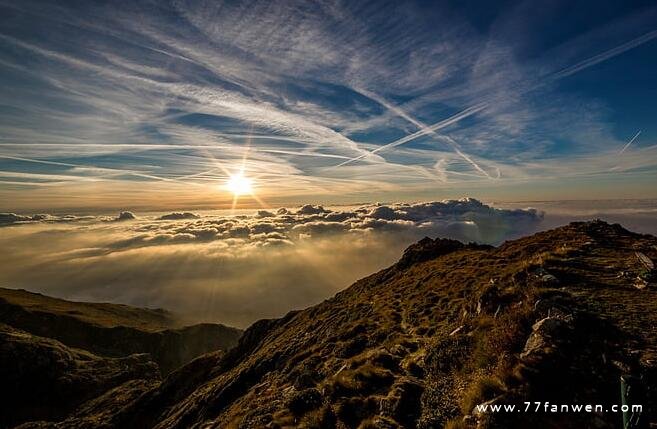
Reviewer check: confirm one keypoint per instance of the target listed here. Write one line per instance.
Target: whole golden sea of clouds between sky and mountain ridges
(233, 268)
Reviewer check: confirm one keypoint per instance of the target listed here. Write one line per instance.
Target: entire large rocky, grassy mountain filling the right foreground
(557, 317)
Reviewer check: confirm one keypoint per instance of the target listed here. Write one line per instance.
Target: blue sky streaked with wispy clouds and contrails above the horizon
(155, 104)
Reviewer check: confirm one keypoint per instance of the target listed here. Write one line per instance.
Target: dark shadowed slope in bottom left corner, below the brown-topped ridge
(44, 379)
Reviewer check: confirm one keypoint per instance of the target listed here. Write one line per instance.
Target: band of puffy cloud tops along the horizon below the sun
(465, 219)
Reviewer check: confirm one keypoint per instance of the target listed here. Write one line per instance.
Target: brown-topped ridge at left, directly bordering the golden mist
(113, 330)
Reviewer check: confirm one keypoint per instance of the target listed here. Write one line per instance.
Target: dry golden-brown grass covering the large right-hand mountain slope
(401, 324)
